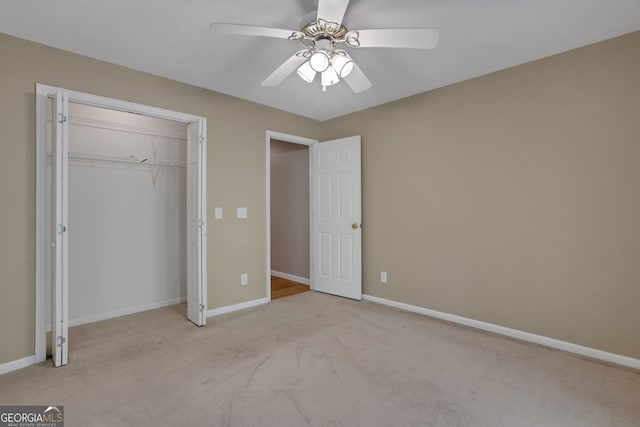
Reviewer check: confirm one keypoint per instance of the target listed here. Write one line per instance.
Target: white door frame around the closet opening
(43, 92)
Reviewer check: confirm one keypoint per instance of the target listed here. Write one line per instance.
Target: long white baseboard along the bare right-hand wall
(514, 333)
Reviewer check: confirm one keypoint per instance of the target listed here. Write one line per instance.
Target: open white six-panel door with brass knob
(337, 217)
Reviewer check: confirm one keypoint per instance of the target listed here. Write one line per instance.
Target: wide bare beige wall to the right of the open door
(513, 198)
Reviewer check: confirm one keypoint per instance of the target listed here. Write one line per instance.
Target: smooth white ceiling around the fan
(171, 38)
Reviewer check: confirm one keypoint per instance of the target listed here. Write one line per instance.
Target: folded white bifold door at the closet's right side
(196, 224)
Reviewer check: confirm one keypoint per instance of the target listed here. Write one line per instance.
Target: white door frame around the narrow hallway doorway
(294, 139)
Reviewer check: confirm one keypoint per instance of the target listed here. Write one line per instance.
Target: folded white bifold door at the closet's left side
(59, 234)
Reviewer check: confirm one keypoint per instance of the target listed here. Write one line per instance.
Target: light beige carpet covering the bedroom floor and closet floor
(318, 360)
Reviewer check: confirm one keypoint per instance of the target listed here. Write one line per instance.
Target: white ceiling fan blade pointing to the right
(413, 38)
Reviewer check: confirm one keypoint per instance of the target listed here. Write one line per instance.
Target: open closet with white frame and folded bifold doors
(121, 210)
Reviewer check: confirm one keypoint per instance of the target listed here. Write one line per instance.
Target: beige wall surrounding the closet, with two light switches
(236, 173)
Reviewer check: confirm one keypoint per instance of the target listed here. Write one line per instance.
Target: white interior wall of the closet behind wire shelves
(127, 213)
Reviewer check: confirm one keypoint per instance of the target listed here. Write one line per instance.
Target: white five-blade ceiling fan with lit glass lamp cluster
(324, 41)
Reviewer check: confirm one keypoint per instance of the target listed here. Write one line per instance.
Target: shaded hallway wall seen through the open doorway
(290, 208)
